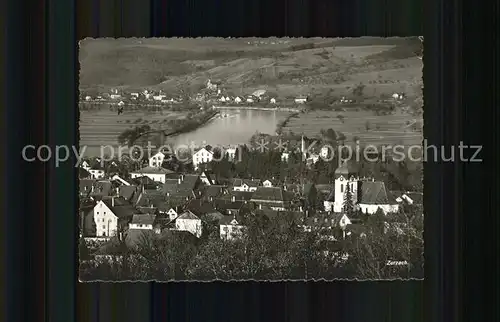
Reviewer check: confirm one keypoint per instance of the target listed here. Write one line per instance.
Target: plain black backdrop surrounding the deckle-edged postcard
(40, 92)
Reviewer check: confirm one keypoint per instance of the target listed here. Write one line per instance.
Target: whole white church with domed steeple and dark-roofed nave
(367, 194)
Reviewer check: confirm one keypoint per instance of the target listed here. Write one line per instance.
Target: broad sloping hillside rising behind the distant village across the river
(286, 66)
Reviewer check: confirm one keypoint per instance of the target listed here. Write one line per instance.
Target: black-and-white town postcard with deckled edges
(267, 159)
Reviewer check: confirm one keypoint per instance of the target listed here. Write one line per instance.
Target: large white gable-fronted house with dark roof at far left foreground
(112, 215)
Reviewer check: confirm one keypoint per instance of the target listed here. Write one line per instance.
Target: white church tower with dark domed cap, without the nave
(345, 175)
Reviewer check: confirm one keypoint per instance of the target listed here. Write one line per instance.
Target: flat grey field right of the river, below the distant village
(387, 129)
